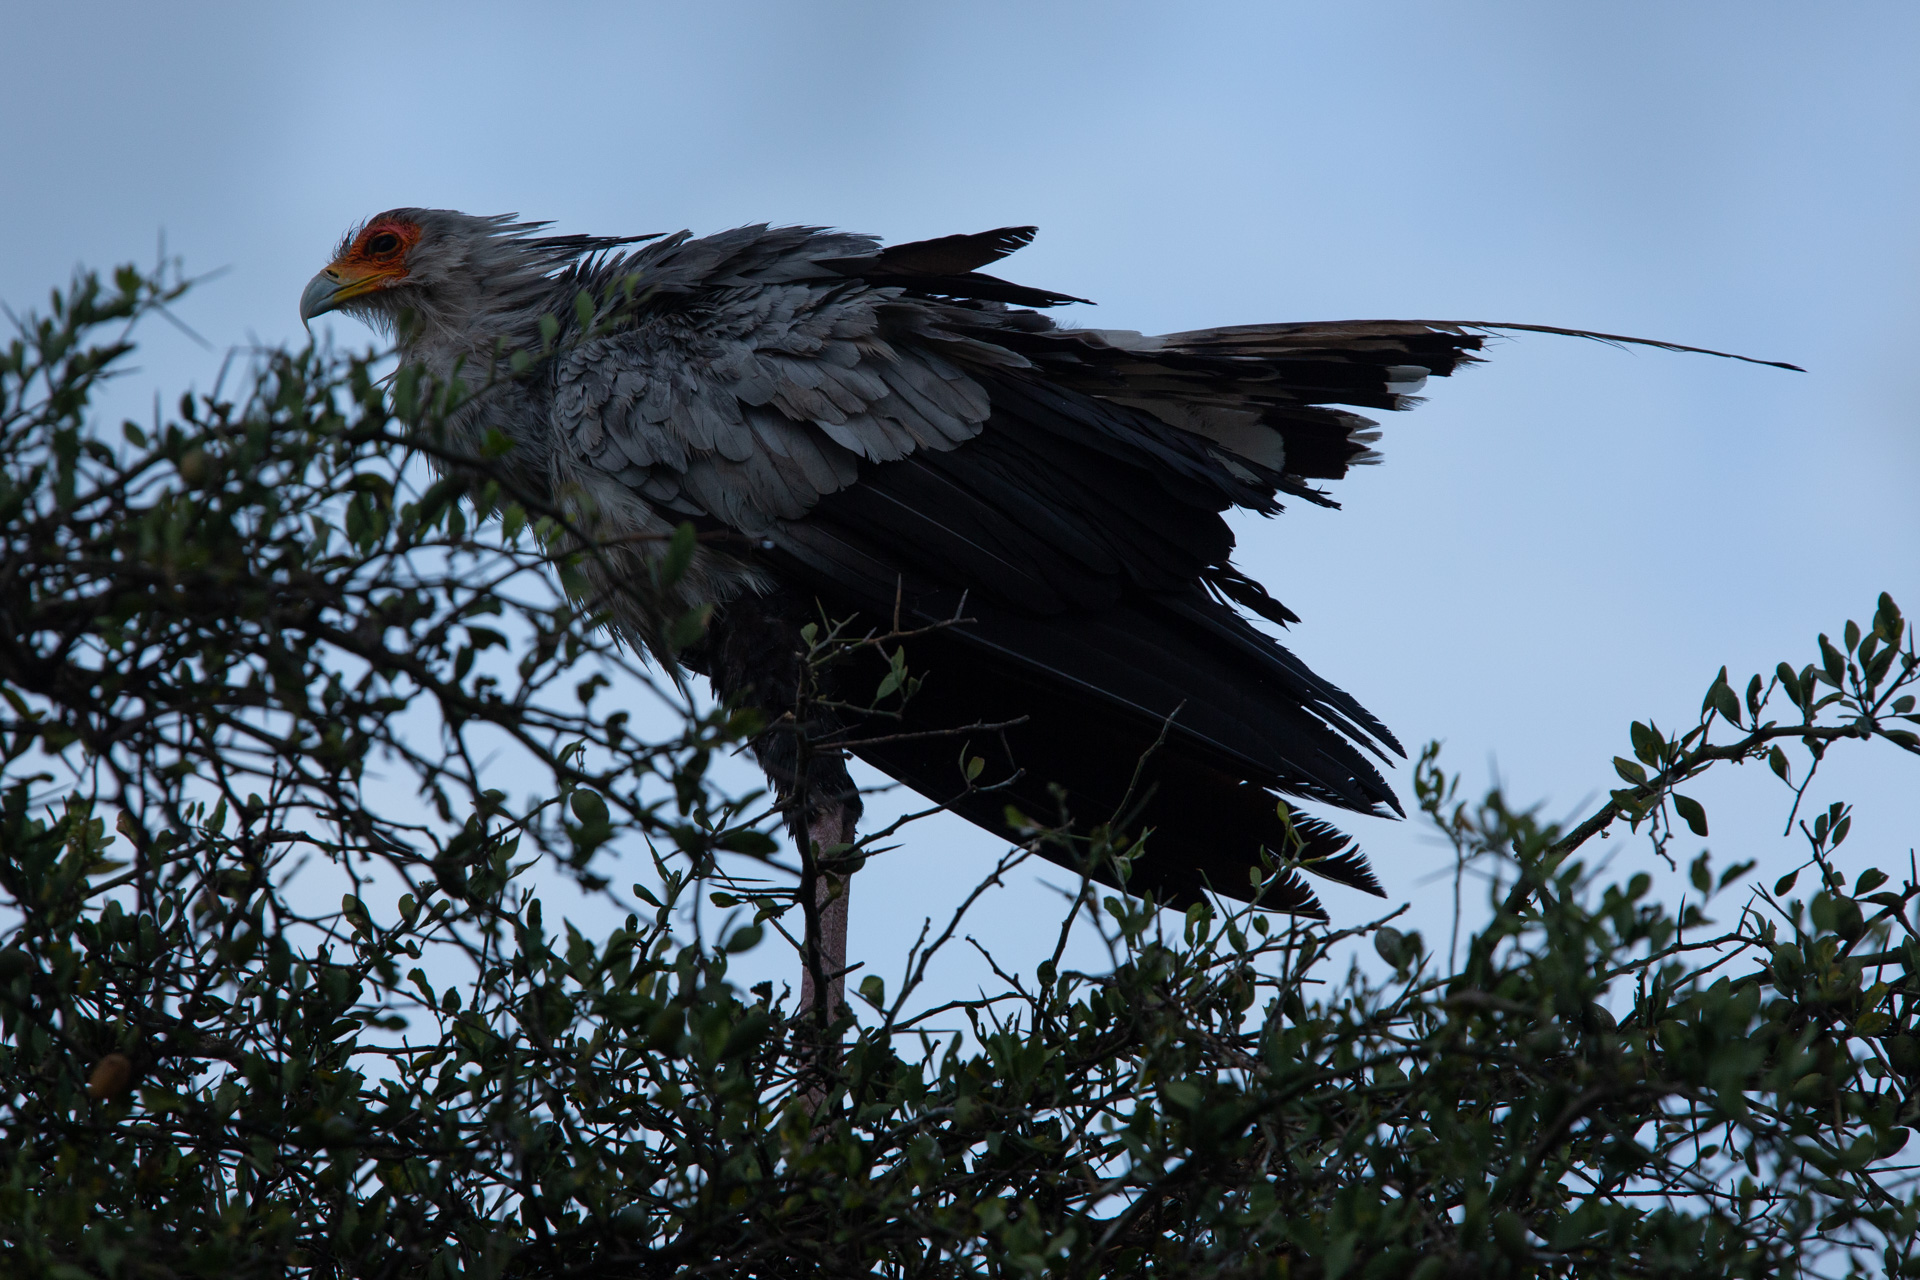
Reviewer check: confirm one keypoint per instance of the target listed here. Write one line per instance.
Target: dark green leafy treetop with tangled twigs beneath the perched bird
(276, 997)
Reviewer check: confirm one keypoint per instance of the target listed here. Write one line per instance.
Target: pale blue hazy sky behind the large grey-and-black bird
(1560, 542)
